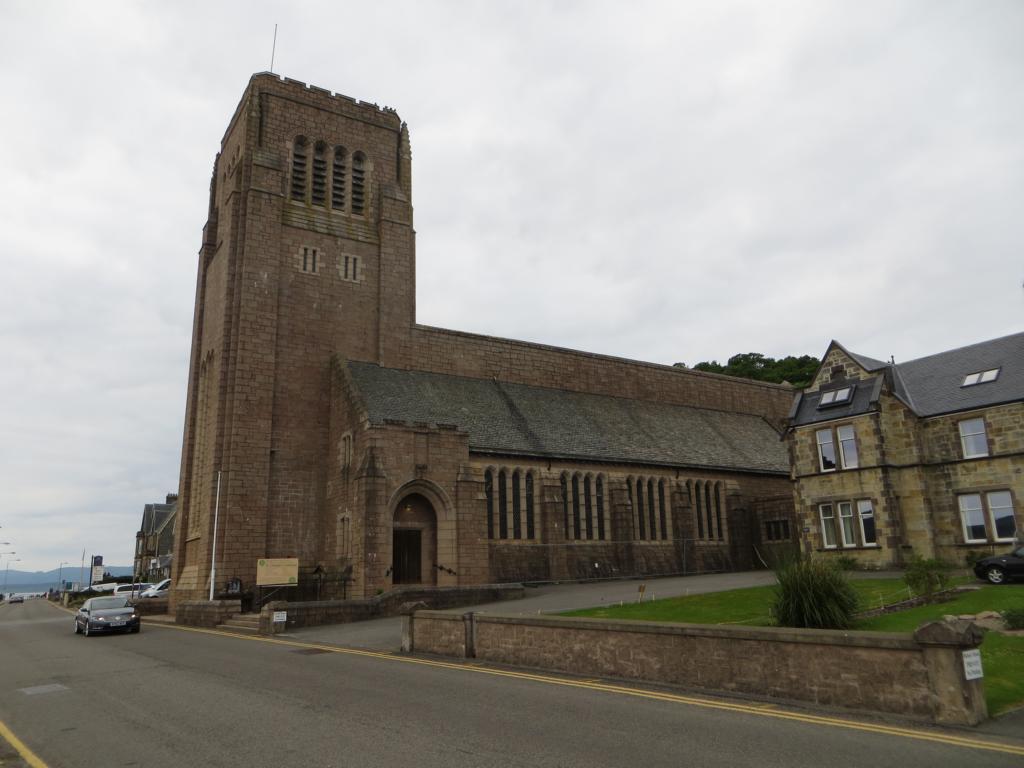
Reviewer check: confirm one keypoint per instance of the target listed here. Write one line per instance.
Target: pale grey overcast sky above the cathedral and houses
(661, 181)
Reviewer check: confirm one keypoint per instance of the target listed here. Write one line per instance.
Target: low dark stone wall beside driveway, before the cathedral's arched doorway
(315, 614)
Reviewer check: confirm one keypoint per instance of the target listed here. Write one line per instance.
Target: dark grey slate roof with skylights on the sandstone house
(932, 386)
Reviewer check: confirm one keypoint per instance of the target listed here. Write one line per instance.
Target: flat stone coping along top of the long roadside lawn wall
(891, 641)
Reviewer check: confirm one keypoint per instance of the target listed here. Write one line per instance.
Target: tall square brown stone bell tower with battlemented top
(309, 253)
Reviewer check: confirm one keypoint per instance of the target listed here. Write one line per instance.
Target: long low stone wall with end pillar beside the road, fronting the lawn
(919, 676)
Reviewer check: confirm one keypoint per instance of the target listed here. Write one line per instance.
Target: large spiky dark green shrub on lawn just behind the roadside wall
(815, 594)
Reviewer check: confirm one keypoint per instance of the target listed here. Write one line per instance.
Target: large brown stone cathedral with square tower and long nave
(381, 452)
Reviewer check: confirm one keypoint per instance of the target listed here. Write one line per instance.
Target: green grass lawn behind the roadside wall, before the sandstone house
(1003, 657)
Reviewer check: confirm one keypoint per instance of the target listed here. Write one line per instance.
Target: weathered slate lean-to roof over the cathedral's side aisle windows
(517, 419)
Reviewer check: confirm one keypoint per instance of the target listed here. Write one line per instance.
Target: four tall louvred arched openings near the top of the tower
(335, 178)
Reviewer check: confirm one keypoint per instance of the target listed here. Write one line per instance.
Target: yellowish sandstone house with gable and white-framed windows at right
(922, 458)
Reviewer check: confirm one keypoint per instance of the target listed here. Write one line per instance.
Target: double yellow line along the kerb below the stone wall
(761, 710)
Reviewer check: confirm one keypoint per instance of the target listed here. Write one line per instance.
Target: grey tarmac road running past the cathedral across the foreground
(174, 697)
